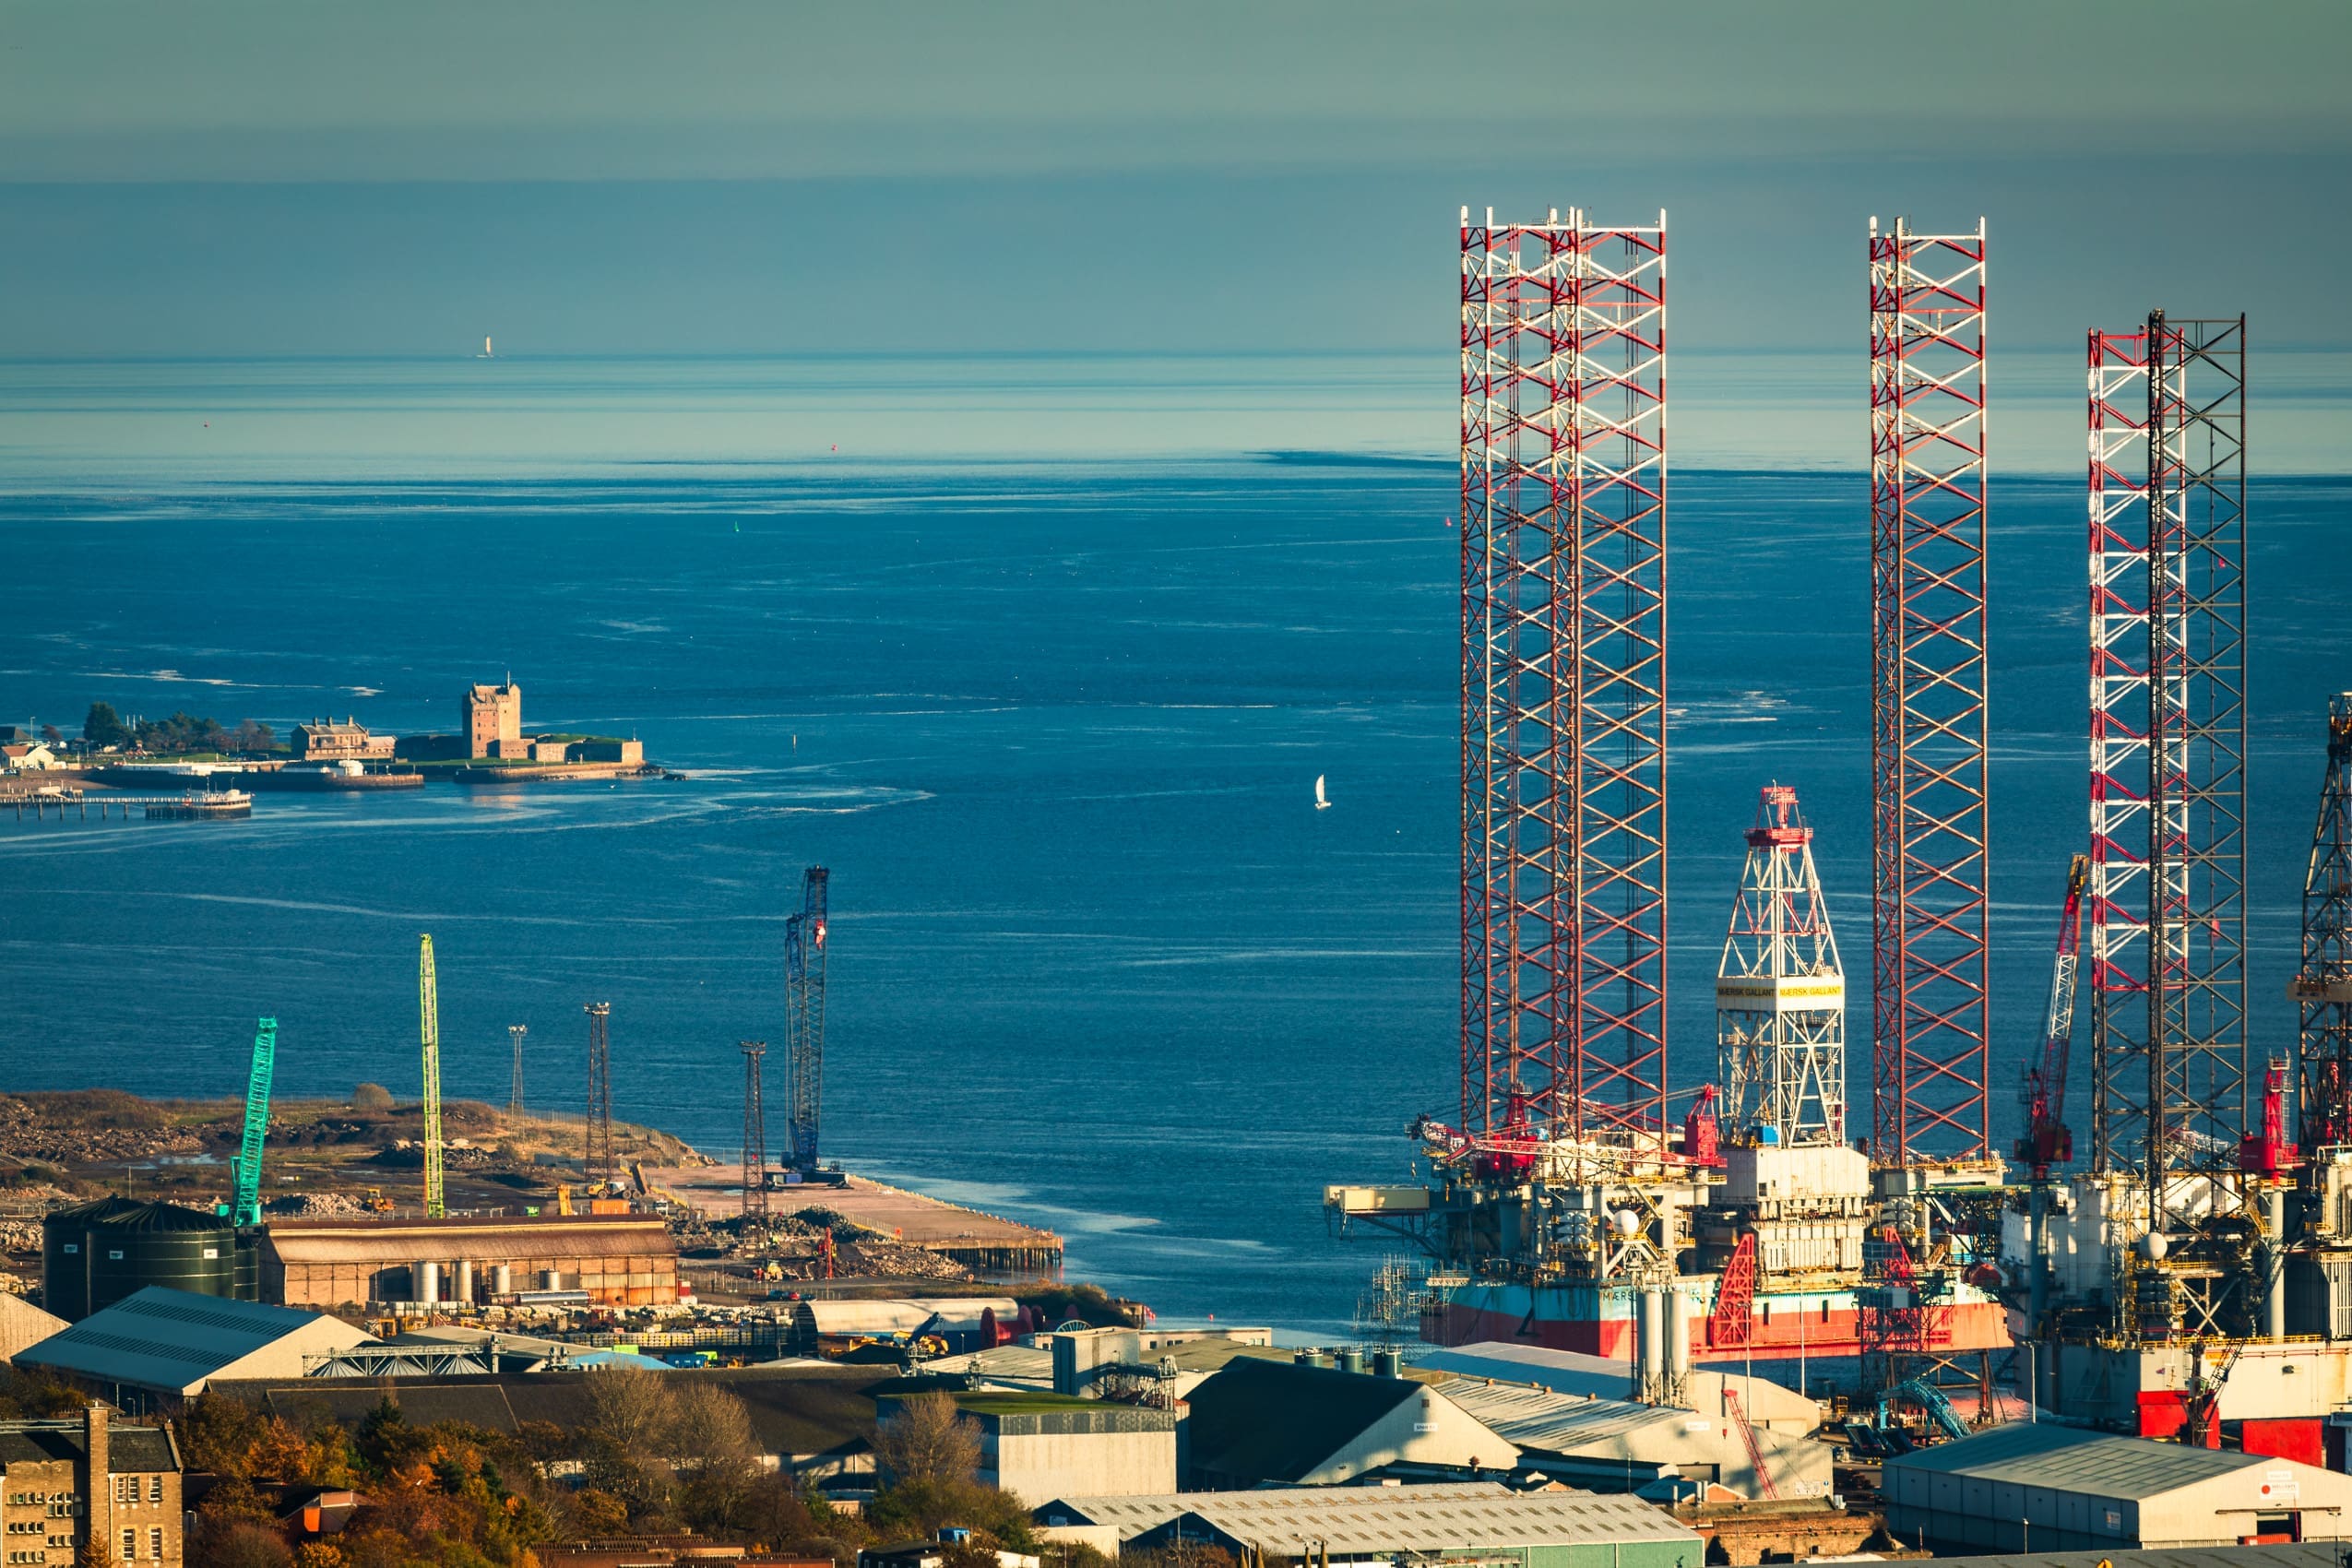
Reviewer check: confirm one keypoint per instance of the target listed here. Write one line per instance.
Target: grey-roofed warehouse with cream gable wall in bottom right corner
(2064, 1489)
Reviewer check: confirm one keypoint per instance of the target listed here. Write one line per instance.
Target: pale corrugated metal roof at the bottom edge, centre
(1351, 1520)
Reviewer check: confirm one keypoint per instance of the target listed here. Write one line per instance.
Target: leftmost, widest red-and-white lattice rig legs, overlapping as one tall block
(1565, 678)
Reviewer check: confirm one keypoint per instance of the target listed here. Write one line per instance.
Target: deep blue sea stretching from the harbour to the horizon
(1053, 723)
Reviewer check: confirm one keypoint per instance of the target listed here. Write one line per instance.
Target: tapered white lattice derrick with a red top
(1779, 991)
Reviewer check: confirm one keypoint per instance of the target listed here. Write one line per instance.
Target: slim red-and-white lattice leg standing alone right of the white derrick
(1927, 697)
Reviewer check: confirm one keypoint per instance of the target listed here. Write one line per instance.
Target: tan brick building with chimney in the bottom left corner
(72, 1480)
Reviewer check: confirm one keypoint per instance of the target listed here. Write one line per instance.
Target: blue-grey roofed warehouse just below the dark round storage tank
(159, 1348)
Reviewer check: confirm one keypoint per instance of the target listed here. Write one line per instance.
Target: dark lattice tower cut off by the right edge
(2325, 981)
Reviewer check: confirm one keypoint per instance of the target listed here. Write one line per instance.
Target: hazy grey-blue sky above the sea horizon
(704, 177)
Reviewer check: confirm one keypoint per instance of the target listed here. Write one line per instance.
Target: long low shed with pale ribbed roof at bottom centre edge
(1365, 1522)
